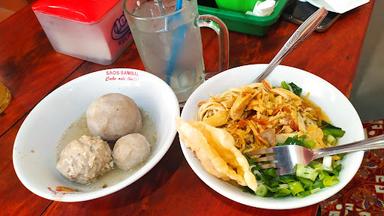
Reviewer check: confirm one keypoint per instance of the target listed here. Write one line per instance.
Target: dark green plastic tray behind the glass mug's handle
(248, 24)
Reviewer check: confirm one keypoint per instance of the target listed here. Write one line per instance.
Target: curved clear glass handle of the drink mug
(221, 30)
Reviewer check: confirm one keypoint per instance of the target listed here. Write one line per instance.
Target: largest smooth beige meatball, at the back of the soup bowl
(112, 116)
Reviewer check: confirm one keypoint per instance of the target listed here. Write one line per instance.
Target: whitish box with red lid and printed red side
(95, 31)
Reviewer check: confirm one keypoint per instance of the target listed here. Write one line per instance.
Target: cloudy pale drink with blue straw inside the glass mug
(171, 48)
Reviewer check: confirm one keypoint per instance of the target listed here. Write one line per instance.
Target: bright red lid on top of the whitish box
(87, 11)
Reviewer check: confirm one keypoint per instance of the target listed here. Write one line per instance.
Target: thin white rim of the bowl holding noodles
(262, 202)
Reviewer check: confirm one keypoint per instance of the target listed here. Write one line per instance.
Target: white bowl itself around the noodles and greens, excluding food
(333, 103)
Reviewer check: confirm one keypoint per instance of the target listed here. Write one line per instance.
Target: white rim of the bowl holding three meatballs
(89, 195)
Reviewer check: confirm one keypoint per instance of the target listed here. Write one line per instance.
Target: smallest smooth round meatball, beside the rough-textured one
(130, 150)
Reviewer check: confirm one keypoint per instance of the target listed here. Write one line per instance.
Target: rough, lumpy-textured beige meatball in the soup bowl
(84, 159)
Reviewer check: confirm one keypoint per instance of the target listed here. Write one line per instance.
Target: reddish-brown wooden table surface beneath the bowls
(32, 69)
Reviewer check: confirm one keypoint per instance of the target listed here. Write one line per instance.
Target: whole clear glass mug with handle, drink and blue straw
(169, 41)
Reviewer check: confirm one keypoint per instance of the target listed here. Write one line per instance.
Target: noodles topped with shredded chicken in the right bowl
(261, 116)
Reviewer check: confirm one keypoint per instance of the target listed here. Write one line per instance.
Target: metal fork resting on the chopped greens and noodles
(285, 158)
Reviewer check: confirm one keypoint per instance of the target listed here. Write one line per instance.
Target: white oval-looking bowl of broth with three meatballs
(95, 135)
